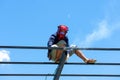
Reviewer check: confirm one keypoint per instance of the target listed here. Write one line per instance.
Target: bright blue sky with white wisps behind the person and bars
(92, 23)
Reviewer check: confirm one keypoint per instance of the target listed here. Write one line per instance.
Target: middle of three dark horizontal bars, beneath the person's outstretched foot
(52, 63)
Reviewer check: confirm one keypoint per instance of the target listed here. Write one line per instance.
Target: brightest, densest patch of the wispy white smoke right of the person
(102, 32)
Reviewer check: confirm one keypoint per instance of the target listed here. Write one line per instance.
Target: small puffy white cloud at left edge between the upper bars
(4, 55)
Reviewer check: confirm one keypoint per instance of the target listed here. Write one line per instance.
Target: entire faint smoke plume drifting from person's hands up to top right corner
(106, 27)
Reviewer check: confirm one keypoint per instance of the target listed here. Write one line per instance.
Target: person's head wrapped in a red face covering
(61, 32)
